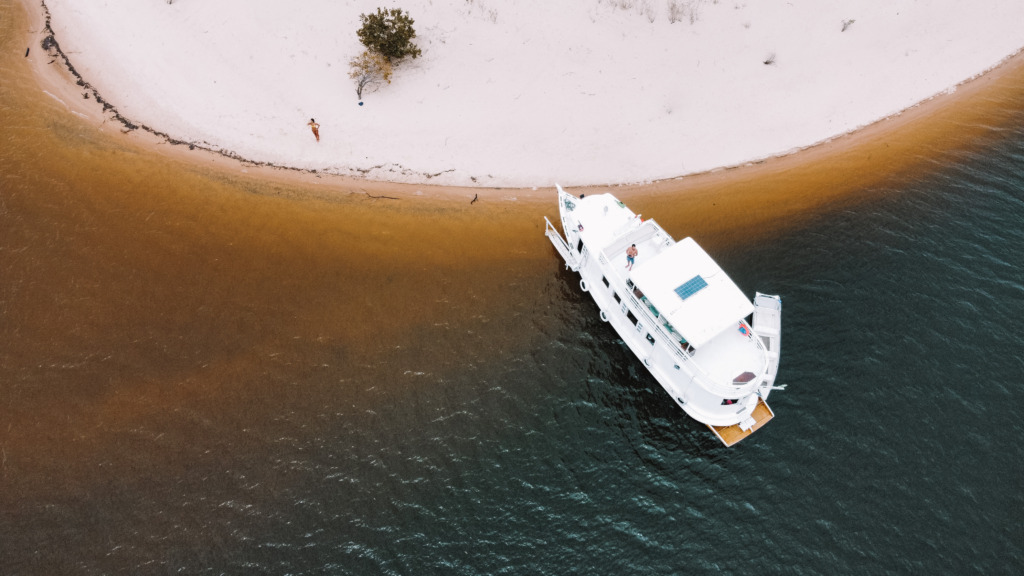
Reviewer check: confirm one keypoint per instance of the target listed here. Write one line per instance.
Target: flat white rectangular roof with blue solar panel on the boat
(692, 292)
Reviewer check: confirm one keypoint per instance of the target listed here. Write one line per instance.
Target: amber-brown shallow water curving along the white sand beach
(150, 301)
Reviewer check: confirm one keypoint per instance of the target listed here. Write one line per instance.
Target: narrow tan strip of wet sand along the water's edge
(67, 87)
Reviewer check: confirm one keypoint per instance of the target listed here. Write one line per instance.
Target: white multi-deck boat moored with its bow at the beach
(710, 348)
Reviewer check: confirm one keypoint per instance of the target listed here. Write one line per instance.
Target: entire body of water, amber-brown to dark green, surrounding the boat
(201, 377)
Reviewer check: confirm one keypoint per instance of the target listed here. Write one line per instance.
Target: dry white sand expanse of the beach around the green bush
(530, 93)
